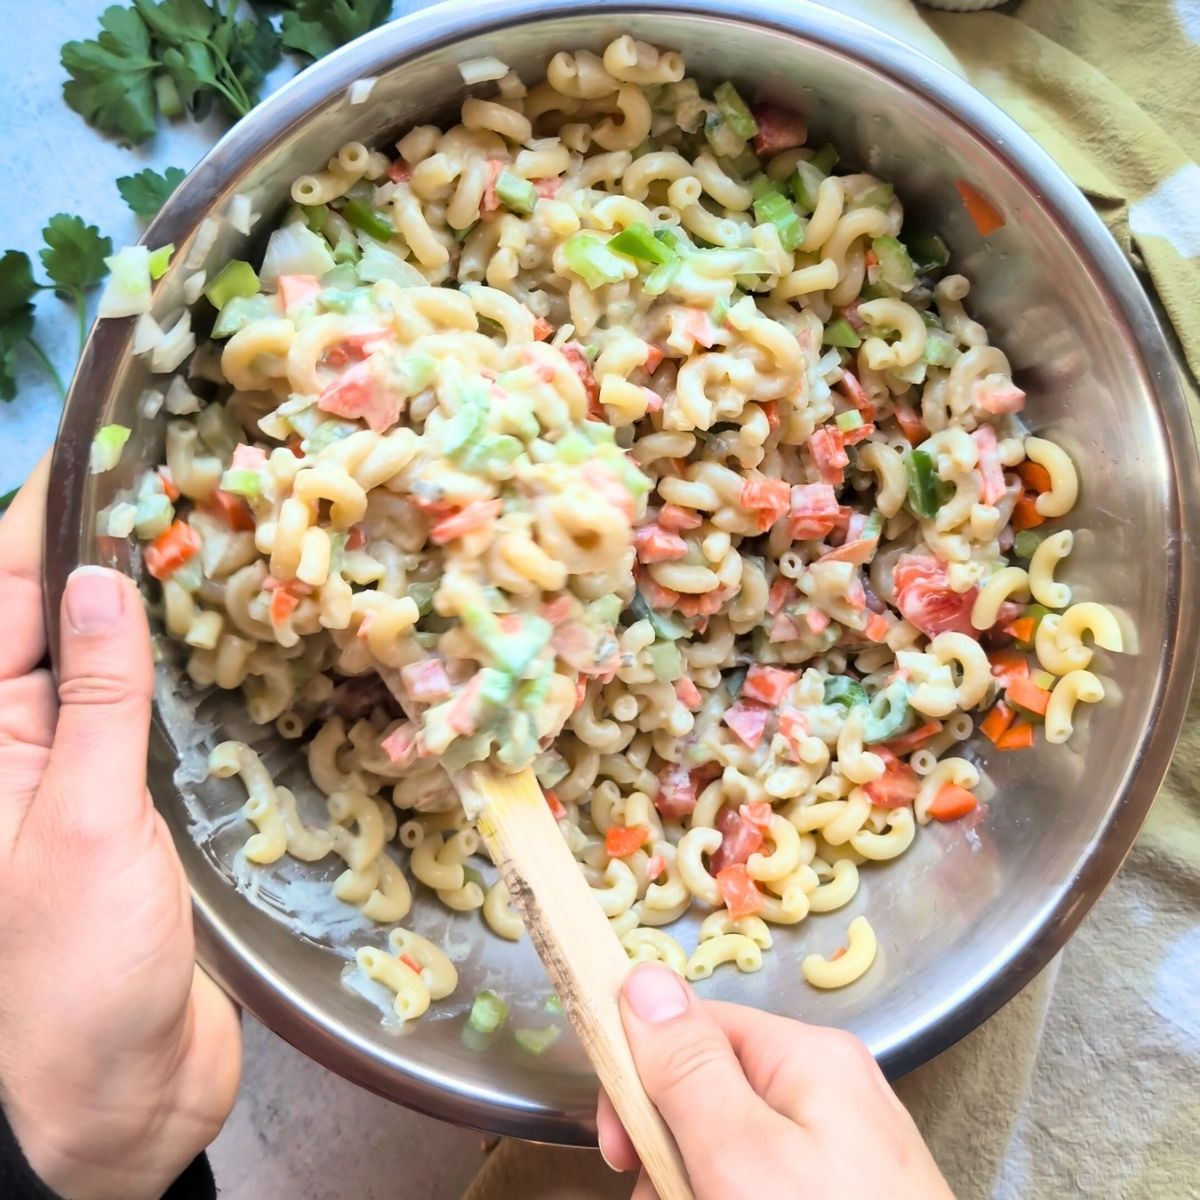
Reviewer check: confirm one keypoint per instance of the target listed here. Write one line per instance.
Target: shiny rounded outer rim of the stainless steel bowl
(221, 949)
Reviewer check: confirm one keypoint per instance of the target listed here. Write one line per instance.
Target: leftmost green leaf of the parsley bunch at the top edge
(111, 77)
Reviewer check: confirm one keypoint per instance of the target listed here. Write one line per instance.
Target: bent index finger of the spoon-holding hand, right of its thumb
(801, 1071)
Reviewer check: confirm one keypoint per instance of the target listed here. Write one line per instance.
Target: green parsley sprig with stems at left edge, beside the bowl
(74, 257)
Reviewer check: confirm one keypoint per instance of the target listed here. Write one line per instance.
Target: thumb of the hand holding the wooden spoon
(687, 1065)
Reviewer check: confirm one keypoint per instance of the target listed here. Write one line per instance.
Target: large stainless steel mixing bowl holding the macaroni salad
(967, 917)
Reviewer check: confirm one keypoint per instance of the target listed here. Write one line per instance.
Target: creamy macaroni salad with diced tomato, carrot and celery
(625, 437)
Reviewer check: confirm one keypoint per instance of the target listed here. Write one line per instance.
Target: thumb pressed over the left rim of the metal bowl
(97, 776)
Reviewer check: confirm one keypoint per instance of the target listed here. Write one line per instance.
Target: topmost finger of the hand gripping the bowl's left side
(21, 577)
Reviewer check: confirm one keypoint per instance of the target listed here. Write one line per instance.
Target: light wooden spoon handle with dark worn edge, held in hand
(579, 949)
